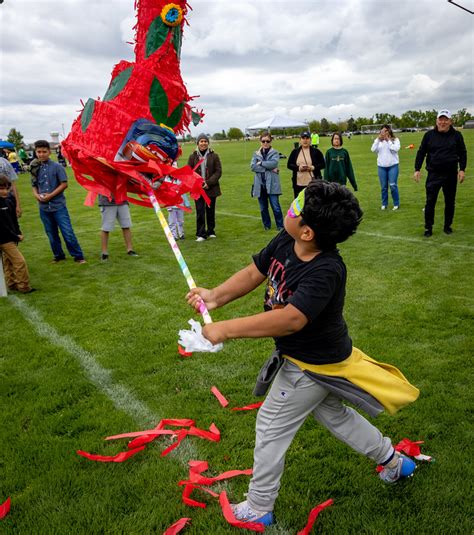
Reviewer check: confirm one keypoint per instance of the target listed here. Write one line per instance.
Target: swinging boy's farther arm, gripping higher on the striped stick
(240, 284)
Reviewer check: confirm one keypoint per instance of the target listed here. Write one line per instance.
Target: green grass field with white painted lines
(93, 353)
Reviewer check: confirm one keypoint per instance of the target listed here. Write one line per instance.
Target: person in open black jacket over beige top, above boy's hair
(306, 163)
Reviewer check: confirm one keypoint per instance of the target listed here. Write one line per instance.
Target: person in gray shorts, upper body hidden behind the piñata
(112, 211)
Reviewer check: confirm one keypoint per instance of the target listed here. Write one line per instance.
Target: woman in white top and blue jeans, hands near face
(386, 145)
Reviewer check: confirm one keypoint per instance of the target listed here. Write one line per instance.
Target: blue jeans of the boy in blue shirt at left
(59, 219)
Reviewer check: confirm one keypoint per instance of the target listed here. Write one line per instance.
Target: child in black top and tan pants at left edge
(14, 264)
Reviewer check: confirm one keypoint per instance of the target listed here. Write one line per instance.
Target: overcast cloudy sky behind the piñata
(246, 59)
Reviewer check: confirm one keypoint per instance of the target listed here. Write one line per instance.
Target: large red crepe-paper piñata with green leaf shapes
(151, 89)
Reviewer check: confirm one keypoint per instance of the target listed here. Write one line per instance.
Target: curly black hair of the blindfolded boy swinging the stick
(331, 211)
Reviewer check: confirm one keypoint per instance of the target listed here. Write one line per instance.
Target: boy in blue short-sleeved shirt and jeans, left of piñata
(49, 181)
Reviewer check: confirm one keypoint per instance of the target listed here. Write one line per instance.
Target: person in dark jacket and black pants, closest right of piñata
(211, 170)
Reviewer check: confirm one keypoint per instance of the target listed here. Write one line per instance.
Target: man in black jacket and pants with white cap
(445, 150)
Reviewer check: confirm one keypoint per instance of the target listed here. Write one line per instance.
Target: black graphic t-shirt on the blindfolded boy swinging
(317, 289)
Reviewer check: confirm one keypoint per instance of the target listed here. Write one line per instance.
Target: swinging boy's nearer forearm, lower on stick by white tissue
(274, 323)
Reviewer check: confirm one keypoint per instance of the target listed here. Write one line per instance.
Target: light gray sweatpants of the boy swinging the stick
(292, 397)
